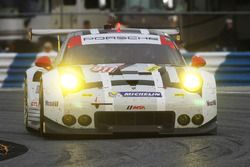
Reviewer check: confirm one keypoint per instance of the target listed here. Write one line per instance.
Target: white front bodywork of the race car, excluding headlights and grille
(172, 99)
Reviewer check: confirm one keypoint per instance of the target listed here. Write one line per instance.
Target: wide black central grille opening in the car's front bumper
(107, 119)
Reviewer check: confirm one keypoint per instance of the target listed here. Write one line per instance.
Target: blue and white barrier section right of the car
(229, 68)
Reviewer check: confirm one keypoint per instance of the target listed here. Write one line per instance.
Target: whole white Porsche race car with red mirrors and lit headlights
(107, 81)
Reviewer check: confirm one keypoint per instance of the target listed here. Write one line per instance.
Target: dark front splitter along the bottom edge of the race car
(53, 128)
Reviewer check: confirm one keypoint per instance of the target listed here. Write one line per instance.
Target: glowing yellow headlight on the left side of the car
(69, 81)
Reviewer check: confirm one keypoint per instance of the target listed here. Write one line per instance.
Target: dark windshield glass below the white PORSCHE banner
(122, 53)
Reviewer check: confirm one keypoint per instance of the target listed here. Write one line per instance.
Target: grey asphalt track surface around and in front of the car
(231, 147)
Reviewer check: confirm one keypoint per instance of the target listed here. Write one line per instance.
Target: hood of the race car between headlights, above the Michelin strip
(132, 75)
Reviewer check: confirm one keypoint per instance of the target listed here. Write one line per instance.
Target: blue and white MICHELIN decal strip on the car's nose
(135, 94)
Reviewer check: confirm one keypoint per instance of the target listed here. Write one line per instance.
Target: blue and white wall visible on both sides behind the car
(230, 68)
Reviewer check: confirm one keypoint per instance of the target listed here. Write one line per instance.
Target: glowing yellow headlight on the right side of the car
(192, 82)
